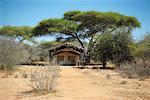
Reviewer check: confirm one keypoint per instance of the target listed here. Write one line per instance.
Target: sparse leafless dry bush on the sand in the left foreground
(44, 80)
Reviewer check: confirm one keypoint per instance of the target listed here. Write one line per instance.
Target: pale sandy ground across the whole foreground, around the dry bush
(79, 84)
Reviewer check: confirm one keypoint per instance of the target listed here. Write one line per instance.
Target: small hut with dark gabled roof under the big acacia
(65, 54)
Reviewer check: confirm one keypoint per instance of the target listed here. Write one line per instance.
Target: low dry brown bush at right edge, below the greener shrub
(135, 69)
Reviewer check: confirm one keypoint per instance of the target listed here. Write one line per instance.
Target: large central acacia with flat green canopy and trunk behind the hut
(76, 25)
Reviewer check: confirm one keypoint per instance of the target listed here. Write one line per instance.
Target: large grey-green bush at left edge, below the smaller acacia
(11, 53)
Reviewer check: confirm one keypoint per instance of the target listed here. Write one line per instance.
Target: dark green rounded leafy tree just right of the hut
(113, 47)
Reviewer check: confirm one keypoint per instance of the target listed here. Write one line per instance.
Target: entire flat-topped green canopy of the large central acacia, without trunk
(91, 21)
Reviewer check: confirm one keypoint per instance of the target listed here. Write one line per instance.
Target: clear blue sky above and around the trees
(31, 12)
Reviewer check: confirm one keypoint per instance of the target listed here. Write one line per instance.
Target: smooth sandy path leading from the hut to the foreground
(78, 86)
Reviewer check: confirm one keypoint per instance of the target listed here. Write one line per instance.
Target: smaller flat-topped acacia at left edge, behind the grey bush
(20, 33)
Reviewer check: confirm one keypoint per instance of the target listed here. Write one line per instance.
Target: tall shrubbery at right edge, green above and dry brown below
(141, 65)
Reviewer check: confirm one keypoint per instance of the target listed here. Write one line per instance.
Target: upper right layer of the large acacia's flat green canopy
(103, 20)
